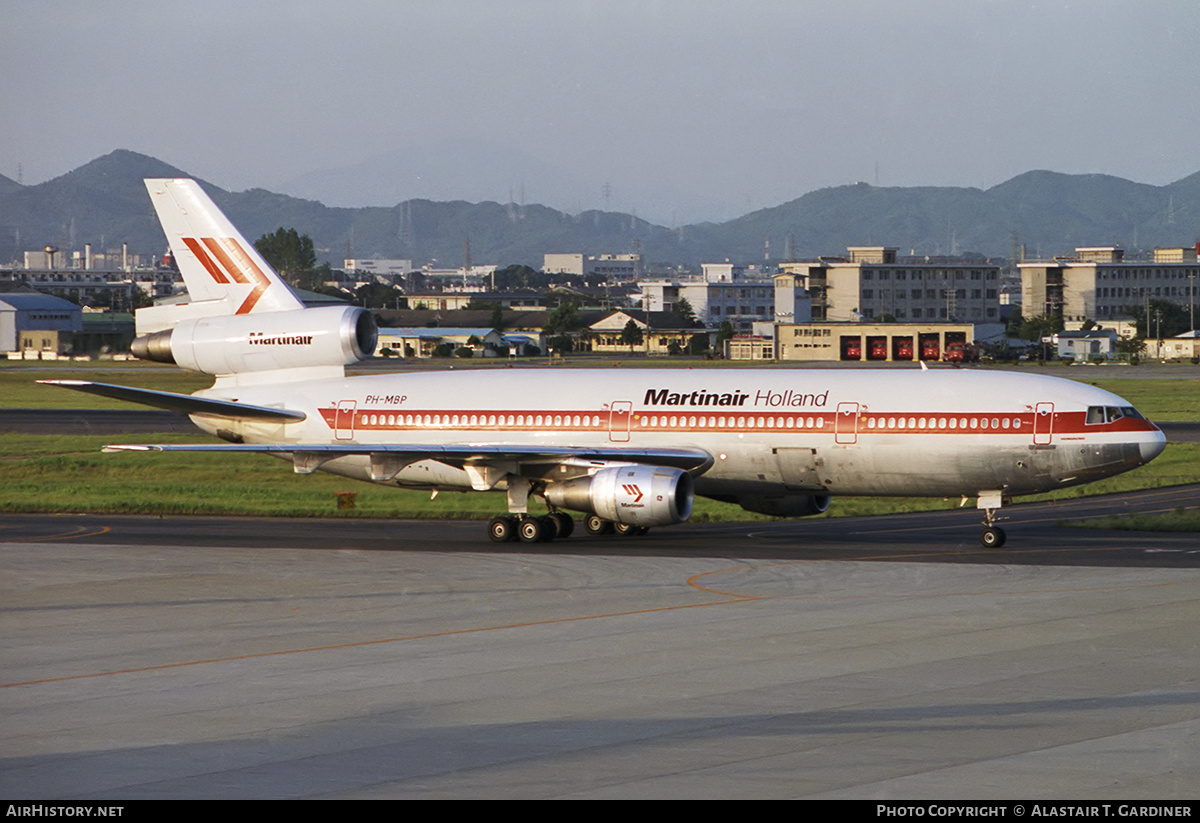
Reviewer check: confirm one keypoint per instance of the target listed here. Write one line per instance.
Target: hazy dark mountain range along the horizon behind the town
(105, 203)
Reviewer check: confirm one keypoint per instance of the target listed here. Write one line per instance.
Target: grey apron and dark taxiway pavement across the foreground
(874, 658)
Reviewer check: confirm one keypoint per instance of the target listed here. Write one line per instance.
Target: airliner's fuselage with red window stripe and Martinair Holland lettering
(862, 432)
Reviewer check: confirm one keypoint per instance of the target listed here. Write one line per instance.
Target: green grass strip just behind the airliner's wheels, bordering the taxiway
(56, 473)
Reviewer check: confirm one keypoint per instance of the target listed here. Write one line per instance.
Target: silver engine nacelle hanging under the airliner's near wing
(631, 495)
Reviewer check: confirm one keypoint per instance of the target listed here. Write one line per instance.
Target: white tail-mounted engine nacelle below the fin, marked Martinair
(230, 345)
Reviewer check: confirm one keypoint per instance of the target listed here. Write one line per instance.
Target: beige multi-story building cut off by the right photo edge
(1100, 284)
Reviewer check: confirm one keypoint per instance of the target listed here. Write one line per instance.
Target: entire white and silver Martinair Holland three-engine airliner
(629, 448)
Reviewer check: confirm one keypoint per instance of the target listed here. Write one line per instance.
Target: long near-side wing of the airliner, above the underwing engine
(487, 465)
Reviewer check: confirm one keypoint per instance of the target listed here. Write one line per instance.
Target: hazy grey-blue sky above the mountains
(685, 109)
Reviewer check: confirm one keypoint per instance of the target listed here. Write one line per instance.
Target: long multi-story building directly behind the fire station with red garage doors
(873, 284)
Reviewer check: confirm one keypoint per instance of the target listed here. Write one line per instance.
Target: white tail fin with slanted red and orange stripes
(221, 269)
